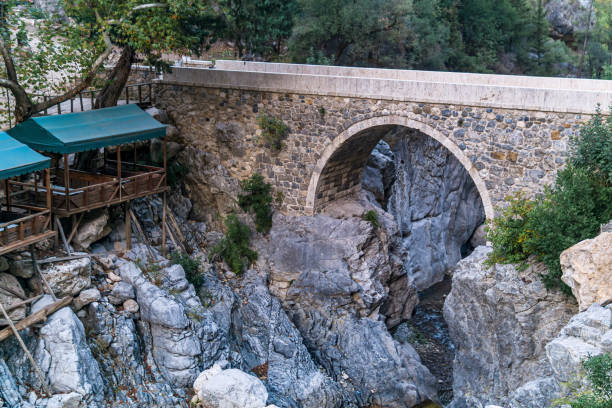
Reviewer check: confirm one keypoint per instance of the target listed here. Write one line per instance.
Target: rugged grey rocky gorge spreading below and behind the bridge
(328, 314)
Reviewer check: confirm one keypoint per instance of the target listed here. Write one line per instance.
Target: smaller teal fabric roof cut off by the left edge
(17, 159)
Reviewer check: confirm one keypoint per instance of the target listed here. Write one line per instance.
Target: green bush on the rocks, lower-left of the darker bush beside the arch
(234, 248)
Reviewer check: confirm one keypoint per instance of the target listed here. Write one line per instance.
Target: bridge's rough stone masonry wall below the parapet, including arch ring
(503, 150)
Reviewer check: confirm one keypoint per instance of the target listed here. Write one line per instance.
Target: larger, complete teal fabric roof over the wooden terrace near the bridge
(82, 131)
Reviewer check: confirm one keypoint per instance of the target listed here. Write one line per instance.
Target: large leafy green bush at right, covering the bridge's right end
(570, 211)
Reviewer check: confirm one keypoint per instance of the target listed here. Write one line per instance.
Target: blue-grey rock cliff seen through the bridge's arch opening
(434, 201)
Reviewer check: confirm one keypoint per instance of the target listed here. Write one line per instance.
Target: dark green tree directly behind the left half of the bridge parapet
(258, 27)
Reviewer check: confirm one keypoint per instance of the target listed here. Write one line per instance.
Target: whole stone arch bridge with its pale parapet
(511, 133)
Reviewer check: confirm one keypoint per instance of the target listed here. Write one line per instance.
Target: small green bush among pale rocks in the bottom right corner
(599, 374)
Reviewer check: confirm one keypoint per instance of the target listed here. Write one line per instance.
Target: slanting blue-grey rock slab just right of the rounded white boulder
(267, 340)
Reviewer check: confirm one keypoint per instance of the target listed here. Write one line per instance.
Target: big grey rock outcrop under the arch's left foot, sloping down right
(331, 276)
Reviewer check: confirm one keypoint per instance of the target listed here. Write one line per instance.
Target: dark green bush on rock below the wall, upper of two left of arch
(257, 198)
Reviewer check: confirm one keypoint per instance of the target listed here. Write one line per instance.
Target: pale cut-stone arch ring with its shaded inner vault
(338, 170)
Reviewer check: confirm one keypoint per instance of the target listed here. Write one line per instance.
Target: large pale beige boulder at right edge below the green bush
(587, 269)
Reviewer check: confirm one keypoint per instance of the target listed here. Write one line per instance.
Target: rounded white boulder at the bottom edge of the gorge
(231, 388)
